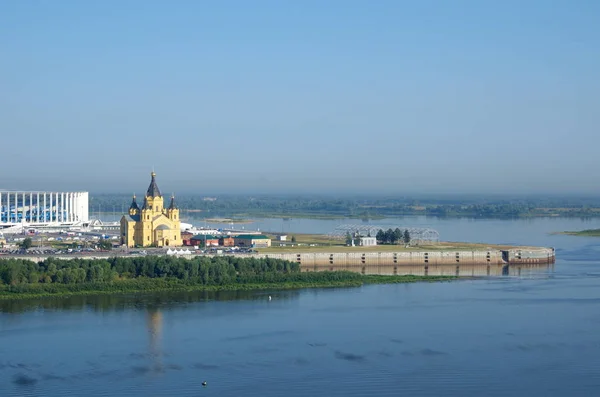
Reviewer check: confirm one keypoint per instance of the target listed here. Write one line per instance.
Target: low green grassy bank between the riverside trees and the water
(298, 281)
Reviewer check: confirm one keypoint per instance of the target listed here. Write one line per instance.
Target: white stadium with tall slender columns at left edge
(43, 208)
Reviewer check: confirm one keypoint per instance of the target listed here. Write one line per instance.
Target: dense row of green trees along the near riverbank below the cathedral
(201, 270)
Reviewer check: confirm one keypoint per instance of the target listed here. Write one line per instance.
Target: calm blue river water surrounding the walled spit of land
(530, 336)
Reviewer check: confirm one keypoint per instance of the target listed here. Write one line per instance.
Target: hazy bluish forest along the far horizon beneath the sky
(239, 206)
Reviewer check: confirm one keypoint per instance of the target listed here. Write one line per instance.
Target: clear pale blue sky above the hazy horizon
(321, 96)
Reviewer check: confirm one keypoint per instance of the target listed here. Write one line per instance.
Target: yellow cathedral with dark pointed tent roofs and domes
(153, 225)
